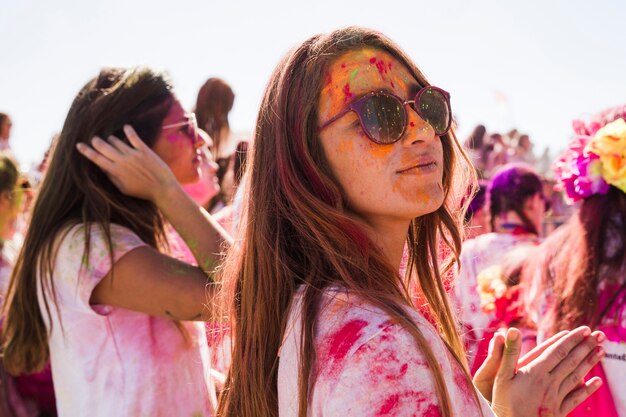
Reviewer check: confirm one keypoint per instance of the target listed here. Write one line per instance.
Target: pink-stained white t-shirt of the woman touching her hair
(110, 361)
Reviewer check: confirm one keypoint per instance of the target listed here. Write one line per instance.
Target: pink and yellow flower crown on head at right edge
(591, 164)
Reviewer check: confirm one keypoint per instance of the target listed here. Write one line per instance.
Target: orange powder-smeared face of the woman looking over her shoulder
(398, 181)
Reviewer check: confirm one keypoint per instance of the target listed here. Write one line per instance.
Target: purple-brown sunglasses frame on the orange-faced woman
(357, 107)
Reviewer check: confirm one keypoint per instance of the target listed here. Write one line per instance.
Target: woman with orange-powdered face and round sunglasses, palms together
(352, 160)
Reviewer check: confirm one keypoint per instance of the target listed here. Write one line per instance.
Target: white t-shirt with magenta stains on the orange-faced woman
(369, 366)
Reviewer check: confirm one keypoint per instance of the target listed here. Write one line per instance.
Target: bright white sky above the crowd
(530, 64)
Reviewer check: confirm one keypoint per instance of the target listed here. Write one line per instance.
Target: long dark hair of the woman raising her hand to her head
(75, 191)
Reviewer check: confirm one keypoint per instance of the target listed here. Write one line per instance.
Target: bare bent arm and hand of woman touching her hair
(144, 279)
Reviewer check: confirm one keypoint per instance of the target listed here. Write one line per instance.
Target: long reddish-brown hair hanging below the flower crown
(583, 255)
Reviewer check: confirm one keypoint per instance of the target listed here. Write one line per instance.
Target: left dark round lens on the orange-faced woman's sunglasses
(383, 118)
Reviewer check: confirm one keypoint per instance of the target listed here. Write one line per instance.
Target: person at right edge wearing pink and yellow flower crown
(580, 270)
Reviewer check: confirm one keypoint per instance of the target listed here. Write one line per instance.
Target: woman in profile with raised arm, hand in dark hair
(93, 288)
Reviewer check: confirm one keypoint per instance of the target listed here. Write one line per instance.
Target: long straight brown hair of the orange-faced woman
(296, 230)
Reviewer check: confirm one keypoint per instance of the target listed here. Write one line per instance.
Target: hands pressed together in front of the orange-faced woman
(545, 382)
